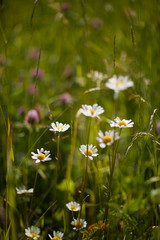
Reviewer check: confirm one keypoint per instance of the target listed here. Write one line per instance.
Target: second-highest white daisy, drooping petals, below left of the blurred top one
(92, 111)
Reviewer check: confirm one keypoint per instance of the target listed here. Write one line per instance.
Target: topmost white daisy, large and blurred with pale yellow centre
(119, 83)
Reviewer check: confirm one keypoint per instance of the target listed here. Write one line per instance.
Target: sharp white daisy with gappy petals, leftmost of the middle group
(41, 155)
